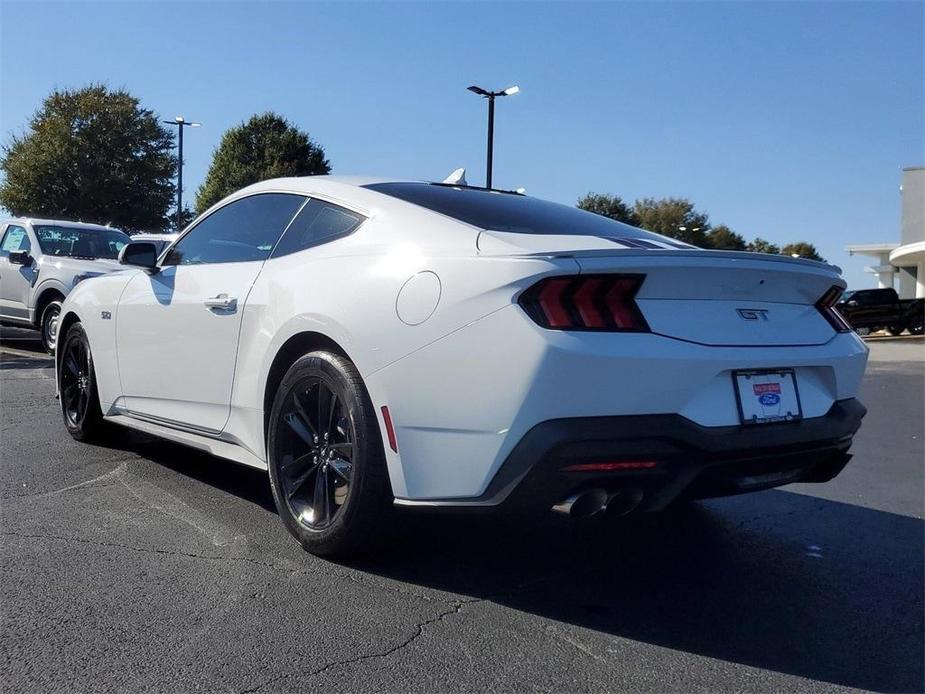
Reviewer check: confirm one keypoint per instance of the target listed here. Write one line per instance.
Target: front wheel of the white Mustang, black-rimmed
(80, 402)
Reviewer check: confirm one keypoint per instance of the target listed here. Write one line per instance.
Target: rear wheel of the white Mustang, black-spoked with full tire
(326, 459)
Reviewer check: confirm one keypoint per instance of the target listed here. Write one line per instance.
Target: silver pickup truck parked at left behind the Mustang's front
(41, 260)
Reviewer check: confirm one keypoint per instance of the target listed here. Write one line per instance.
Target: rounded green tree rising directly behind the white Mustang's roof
(266, 146)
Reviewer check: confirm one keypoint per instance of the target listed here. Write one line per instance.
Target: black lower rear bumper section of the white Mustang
(691, 461)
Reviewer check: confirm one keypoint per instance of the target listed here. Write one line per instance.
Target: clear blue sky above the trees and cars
(783, 120)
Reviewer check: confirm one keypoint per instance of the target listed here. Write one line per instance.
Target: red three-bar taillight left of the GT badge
(586, 302)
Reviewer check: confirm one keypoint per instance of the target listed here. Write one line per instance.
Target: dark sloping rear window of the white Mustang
(511, 212)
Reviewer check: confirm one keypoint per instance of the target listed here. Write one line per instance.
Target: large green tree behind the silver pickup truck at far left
(91, 155)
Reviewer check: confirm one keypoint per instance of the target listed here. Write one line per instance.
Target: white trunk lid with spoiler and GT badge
(716, 298)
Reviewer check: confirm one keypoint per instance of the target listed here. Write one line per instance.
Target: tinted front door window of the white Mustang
(241, 231)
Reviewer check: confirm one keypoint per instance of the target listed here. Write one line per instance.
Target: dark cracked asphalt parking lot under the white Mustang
(149, 567)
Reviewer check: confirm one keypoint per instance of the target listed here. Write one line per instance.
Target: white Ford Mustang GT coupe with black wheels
(376, 343)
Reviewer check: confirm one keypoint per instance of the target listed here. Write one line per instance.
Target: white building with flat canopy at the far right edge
(906, 258)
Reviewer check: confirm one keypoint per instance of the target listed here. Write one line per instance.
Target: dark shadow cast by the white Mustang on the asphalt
(779, 581)
